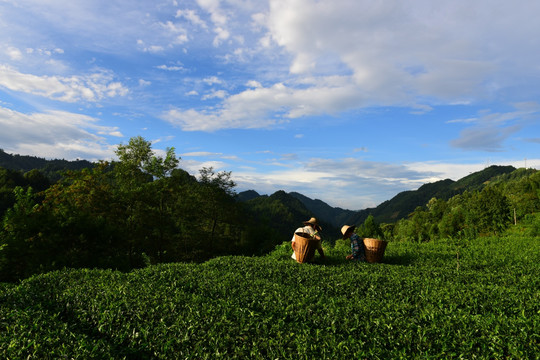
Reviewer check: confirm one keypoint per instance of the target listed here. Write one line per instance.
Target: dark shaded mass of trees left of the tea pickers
(127, 214)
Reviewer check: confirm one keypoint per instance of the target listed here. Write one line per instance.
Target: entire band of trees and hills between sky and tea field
(143, 209)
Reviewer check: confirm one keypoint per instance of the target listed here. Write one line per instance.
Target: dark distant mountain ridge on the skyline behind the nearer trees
(290, 209)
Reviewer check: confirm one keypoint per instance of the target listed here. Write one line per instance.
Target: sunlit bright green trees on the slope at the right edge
(489, 211)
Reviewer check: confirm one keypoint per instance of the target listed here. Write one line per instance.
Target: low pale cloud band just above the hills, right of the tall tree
(349, 183)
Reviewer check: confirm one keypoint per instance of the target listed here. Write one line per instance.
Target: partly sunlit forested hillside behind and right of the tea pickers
(483, 203)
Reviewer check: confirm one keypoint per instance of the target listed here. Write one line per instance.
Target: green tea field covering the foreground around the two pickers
(422, 302)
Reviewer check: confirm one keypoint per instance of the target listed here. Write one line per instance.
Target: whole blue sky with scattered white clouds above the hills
(347, 101)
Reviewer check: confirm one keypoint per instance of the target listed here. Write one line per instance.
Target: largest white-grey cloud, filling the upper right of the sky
(354, 54)
